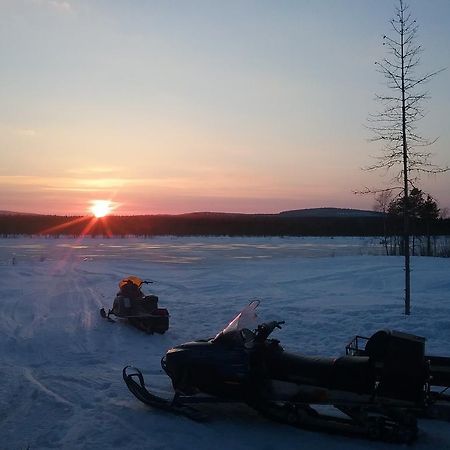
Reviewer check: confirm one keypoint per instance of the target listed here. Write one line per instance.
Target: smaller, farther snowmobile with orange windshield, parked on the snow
(140, 310)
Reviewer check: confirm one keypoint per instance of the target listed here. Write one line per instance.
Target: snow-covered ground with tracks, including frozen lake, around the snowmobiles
(60, 363)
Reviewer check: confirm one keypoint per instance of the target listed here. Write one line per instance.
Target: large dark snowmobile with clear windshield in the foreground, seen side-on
(377, 391)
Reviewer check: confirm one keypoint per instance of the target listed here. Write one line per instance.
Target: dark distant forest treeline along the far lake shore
(215, 225)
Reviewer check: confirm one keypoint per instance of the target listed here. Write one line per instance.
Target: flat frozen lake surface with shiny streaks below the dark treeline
(189, 249)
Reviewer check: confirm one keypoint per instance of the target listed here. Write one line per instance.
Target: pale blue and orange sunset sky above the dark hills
(203, 105)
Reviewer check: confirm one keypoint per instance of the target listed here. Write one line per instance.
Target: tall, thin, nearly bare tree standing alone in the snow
(395, 125)
